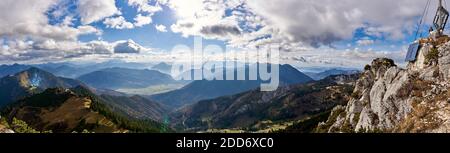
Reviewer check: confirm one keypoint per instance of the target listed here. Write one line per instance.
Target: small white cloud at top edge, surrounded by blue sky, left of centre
(96, 10)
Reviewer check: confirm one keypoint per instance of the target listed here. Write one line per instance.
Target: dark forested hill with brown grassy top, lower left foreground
(60, 110)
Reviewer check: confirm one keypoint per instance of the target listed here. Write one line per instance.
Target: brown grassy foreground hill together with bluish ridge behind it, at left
(60, 102)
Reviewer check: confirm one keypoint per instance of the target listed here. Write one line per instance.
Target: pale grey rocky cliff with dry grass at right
(388, 98)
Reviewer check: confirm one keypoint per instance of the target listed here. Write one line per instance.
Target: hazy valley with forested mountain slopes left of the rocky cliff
(117, 100)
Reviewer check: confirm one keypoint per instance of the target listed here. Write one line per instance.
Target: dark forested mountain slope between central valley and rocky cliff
(294, 102)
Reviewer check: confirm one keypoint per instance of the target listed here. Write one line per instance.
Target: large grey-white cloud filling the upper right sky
(322, 22)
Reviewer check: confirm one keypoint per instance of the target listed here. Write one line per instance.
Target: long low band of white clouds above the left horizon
(42, 51)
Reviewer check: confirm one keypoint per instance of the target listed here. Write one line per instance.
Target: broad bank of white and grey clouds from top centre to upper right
(293, 22)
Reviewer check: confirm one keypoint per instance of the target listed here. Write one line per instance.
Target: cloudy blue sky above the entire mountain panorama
(311, 33)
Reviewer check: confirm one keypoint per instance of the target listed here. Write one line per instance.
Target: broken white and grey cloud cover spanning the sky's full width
(295, 24)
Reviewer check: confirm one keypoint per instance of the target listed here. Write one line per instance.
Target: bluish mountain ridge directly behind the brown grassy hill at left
(34, 81)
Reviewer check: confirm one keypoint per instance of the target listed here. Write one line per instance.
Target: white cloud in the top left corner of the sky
(22, 19)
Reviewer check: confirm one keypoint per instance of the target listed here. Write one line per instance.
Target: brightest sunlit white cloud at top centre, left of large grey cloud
(204, 18)
